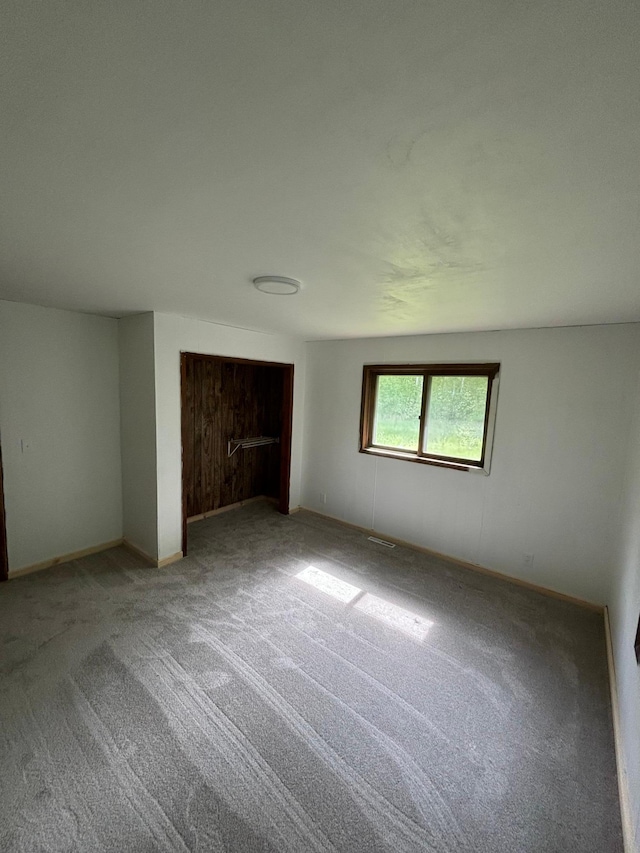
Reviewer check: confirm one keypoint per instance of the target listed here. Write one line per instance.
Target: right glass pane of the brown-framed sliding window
(455, 418)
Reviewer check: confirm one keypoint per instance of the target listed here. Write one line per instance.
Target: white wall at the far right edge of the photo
(624, 608)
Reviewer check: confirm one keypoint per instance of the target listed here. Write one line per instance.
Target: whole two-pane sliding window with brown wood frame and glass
(439, 414)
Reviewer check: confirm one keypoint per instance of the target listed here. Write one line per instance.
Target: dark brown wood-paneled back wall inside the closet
(224, 399)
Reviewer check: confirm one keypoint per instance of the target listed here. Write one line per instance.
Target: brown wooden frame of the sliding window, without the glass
(370, 374)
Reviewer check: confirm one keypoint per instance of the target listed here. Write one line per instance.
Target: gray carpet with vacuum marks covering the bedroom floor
(381, 701)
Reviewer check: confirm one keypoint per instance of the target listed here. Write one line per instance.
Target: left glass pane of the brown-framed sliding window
(397, 416)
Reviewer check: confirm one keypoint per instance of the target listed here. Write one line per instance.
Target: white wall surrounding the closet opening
(174, 335)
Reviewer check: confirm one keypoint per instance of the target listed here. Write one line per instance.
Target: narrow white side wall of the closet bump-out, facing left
(138, 431)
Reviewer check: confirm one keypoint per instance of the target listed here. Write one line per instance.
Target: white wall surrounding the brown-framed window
(562, 431)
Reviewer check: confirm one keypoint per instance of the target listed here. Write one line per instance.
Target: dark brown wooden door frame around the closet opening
(285, 438)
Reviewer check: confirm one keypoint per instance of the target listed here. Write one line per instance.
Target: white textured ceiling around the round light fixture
(420, 166)
